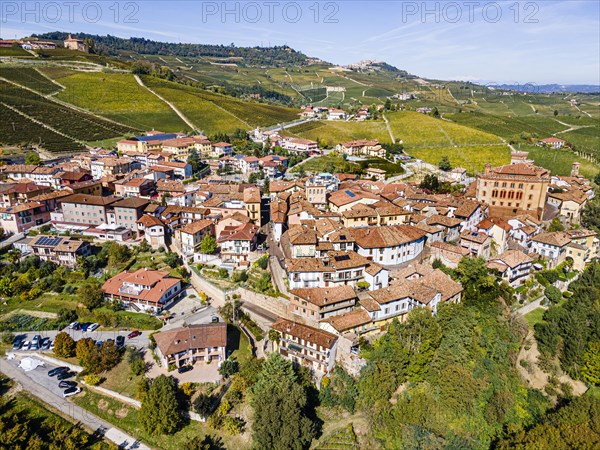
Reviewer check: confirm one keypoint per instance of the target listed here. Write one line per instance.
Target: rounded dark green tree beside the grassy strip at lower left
(159, 413)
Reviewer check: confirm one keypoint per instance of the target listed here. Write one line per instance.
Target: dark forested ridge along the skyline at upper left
(250, 56)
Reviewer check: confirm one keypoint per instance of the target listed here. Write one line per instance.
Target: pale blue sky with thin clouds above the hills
(483, 41)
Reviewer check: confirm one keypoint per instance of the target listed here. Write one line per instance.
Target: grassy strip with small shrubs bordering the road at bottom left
(127, 418)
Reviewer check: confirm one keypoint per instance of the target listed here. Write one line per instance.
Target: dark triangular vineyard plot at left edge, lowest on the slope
(16, 129)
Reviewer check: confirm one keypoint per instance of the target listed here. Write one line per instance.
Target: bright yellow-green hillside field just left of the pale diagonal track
(120, 98)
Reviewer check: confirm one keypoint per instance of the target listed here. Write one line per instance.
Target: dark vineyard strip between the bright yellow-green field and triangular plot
(79, 125)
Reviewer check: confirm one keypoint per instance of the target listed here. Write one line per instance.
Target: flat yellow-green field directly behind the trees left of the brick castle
(471, 157)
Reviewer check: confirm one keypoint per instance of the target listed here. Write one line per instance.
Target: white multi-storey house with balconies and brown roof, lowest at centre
(307, 346)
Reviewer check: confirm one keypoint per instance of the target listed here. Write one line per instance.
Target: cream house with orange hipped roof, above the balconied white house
(315, 304)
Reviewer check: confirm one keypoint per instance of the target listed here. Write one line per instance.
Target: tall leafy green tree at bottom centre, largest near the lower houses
(280, 408)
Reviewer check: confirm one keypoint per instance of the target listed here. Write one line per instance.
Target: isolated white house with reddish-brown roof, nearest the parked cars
(195, 342)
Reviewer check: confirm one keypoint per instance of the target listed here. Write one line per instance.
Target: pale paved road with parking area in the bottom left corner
(38, 383)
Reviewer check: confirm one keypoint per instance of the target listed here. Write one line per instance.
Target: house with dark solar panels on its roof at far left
(60, 250)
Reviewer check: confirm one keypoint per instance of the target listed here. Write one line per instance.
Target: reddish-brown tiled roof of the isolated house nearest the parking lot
(195, 336)
